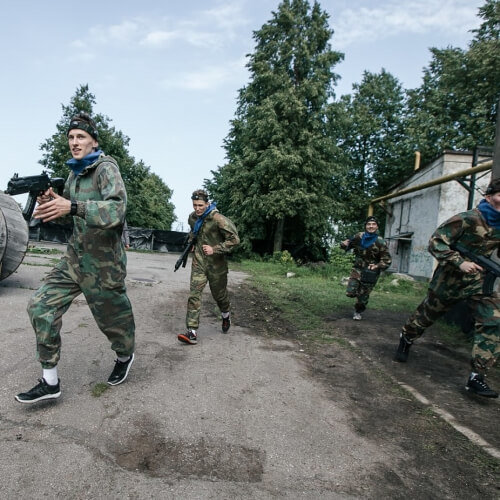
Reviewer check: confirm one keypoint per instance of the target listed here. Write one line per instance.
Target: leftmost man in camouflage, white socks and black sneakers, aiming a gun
(94, 263)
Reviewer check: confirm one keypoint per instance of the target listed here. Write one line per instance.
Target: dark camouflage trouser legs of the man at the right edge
(486, 312)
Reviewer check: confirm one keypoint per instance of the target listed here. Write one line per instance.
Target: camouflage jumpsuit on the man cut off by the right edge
(449, 285)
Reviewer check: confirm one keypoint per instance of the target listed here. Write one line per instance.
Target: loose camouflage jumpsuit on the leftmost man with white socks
(94, 264)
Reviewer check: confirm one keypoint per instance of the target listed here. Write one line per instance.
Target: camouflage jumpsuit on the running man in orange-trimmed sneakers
(220, 233)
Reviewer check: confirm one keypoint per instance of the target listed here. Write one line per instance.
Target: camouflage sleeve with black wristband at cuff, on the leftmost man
(109, 211)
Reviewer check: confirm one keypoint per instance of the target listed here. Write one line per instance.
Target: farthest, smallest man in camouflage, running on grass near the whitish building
(371, 253)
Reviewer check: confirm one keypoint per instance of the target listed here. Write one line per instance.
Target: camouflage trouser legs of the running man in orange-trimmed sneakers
(217, 281)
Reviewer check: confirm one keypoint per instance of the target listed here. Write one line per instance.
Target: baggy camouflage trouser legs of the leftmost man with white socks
(108, 303)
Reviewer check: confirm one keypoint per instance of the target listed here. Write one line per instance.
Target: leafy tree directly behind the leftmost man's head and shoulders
(149, 197)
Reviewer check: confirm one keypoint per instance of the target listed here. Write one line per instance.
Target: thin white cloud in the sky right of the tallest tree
(395, 17)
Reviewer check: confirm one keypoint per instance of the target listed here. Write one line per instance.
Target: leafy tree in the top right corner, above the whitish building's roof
(455, 107)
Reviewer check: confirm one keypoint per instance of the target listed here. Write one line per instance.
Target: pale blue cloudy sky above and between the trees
(167, 72)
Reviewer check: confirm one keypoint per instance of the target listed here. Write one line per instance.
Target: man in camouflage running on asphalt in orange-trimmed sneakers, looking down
(216, 237)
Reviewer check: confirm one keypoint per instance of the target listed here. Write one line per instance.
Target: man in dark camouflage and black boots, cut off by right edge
(456, 278)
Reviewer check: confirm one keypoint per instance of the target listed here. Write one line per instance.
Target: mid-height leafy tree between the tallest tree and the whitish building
(370, 130)
